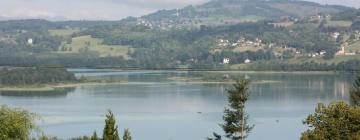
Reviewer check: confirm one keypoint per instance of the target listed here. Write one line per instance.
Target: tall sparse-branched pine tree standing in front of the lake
(236, 125)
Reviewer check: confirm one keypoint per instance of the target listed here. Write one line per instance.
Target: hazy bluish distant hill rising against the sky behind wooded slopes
(230, 11)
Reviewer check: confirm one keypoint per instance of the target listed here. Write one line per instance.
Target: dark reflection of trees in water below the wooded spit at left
(60, 92)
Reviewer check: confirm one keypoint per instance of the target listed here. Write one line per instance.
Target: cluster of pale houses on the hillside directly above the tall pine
(238, 43)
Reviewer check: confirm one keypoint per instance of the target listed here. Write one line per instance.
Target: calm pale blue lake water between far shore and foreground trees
(157, 108)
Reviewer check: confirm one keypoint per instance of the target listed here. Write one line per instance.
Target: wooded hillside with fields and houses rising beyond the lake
(320, 38)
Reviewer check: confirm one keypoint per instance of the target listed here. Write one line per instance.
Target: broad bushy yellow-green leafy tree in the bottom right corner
(337, 121)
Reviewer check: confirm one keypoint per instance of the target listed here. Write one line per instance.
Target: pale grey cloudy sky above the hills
(102, 9)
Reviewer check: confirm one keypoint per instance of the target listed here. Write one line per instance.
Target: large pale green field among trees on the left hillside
(88, 43)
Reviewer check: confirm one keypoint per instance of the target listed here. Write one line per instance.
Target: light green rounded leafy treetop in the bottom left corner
(16, 123)
